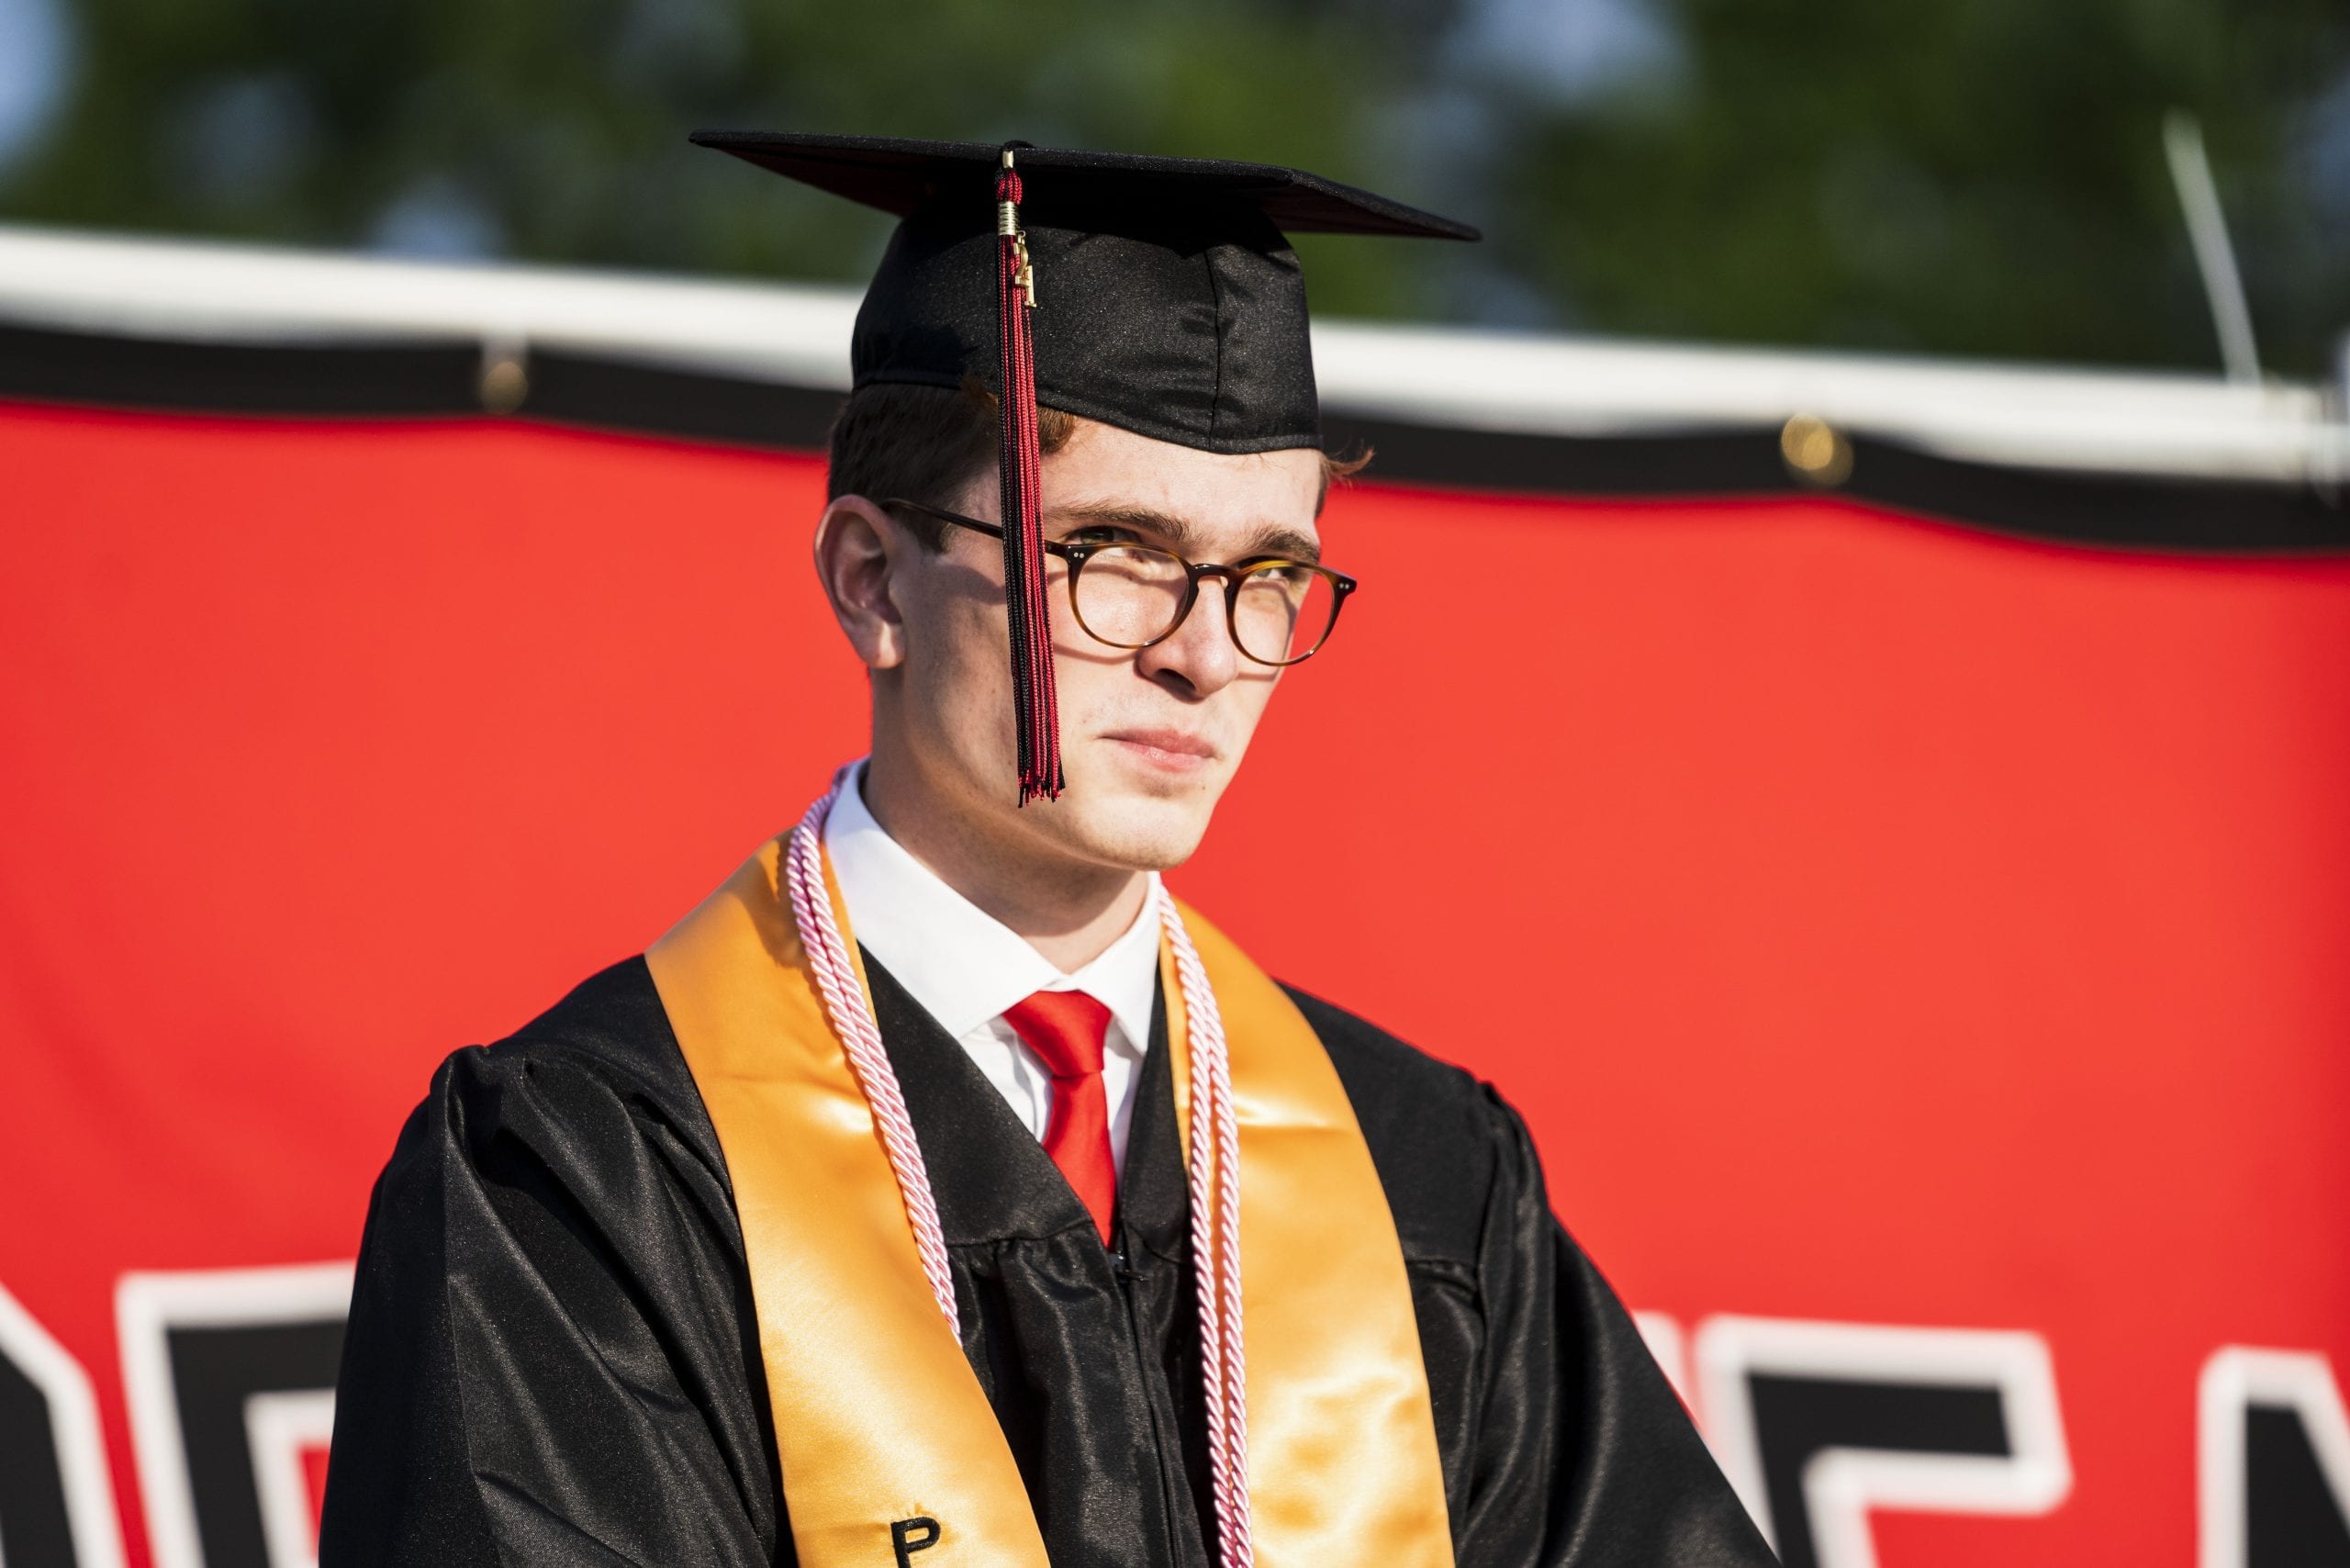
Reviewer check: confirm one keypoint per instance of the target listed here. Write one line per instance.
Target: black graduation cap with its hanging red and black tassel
(1157, 295)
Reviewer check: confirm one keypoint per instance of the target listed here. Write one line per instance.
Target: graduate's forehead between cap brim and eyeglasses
(1214, 492)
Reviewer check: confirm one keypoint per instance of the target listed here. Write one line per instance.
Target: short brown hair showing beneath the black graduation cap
(929, 443)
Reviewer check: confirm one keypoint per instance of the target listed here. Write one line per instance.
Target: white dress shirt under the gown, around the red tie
(967, 967)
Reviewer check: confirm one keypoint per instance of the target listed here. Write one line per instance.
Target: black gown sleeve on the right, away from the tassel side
(1583, 1454)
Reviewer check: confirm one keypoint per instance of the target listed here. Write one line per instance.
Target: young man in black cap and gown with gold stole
(944, 1193)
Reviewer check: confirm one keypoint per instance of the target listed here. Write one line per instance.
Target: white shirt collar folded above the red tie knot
(960, 963)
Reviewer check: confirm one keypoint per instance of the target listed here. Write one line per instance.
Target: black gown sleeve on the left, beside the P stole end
(549, 1355)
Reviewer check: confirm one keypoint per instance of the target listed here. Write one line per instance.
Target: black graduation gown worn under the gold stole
(553, 1358)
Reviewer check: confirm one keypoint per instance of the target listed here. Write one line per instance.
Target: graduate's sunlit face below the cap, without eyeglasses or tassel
(1150, 739)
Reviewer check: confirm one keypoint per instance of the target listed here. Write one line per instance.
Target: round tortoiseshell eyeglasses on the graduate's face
(1132, 596)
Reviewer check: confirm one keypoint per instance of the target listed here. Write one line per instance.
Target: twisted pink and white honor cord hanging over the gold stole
(1216, 1158)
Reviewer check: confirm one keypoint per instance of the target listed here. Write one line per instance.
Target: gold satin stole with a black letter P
(885, 1435)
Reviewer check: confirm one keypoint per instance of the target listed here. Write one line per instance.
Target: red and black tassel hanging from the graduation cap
(1021, 467)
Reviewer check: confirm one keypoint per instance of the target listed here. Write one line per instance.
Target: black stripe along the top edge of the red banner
(607, 394)
